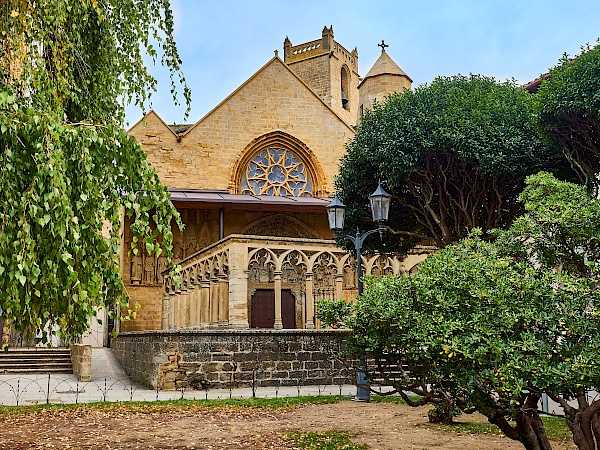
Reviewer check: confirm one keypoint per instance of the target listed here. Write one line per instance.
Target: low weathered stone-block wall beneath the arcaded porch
(232, 358)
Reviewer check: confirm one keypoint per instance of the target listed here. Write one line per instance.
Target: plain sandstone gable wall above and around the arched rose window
(273, 99)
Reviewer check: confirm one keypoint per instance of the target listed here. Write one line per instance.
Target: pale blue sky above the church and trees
(222, 43)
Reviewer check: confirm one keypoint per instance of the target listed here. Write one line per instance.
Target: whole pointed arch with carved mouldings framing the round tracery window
(277, 163)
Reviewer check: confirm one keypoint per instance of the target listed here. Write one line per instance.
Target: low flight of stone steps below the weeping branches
(37, 360)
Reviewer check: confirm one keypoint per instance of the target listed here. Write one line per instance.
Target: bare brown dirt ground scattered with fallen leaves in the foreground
(382, 426)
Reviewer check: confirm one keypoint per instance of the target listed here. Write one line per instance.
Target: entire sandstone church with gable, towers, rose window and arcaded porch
(251, 180)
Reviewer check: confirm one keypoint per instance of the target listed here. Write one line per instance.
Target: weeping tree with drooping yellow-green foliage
(67, 70)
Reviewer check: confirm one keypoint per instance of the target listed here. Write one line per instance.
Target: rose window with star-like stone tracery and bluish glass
(276, 172)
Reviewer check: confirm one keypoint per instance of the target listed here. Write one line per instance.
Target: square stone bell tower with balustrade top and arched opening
(329, 70)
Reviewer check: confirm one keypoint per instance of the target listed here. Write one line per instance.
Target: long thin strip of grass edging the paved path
(149, 407)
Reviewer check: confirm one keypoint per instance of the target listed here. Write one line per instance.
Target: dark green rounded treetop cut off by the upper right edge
(568, 105)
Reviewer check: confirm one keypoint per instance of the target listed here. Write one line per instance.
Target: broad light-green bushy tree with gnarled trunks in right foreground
(491, 326)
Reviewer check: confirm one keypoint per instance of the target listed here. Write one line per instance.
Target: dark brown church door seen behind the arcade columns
(262, 309)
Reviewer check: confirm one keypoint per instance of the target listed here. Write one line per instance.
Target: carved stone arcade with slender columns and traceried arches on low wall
(217, 284)
